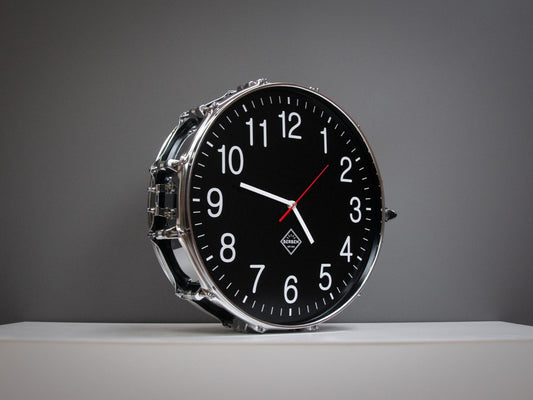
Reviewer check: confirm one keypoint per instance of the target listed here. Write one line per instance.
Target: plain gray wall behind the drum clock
(443, 91)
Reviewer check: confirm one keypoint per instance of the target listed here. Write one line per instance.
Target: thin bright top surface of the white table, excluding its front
(348, 334)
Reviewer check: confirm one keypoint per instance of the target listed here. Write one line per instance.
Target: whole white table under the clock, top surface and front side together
(444, 360)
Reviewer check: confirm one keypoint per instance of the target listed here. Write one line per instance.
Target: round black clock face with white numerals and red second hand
(285, 206)
